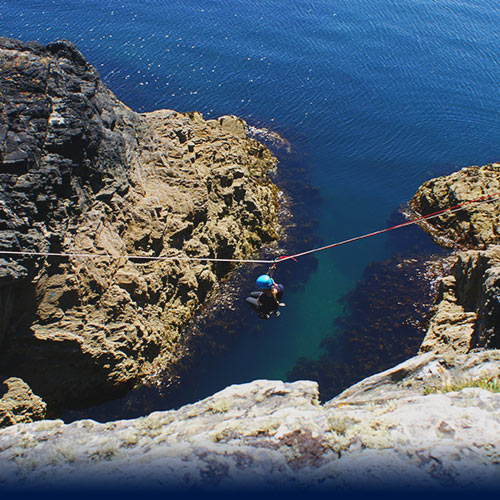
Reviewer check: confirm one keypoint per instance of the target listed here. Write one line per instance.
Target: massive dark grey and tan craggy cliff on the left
(82, 173)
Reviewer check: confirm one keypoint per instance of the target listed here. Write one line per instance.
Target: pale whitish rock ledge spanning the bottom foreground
(396, 429)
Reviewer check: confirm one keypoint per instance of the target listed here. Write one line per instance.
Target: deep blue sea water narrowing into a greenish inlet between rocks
(377, 96)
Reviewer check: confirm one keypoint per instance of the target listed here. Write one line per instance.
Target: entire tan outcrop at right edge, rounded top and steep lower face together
(467, 312)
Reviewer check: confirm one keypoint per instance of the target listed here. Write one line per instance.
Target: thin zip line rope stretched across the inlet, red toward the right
(455, 208)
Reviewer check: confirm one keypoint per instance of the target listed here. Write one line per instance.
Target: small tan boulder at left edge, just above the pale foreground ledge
(18, 404)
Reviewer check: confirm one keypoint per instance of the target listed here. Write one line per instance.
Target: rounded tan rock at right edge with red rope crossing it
(477, 225)
